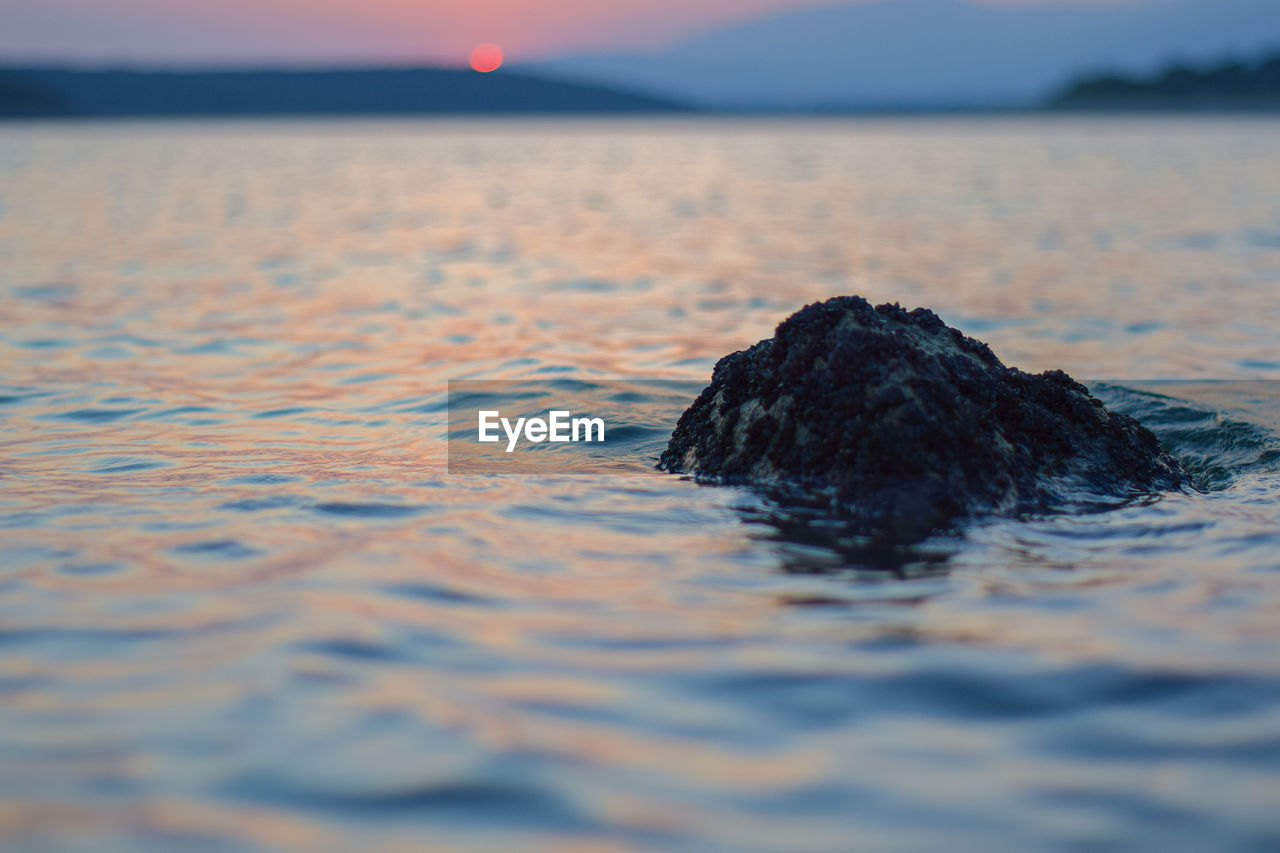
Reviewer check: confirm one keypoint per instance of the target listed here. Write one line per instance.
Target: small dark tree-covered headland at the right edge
(1232, 86)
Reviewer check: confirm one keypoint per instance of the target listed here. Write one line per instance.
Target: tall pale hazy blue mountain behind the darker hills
(930, 53)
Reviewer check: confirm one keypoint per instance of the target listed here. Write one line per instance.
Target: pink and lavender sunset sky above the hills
(363, 31)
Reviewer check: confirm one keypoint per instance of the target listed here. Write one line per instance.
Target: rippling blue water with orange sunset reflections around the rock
(244, 605)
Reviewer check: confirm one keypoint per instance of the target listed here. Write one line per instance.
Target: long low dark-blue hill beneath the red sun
(60, 93)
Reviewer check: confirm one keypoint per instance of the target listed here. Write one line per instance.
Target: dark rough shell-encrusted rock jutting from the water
(904, 426)
